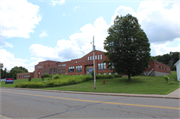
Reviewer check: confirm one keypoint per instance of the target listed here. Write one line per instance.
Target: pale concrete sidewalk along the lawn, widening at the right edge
(173, 95)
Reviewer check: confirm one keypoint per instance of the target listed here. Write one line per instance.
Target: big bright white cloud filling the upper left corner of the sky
(18, 18)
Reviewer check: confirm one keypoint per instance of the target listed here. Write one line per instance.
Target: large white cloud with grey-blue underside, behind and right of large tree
(160, 21)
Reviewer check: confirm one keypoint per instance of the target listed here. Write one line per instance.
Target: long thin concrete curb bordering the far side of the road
(105, 94)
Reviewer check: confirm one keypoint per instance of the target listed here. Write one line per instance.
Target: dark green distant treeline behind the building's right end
(167, 59)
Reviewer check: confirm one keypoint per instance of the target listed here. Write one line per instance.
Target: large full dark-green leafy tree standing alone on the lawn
(127, 46)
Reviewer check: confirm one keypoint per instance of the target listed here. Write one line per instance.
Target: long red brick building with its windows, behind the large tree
(84, 66)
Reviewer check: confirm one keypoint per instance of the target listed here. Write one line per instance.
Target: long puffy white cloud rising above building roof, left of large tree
(78, 45)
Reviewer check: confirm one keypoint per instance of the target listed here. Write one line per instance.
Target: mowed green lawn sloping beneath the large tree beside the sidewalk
(138, 85)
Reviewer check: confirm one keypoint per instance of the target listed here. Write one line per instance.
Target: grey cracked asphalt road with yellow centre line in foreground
(39, 104)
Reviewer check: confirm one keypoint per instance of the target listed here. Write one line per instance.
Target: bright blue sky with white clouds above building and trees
(37, 30)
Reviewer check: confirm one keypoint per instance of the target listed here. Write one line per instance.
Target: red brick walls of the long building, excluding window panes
(84, 62)
